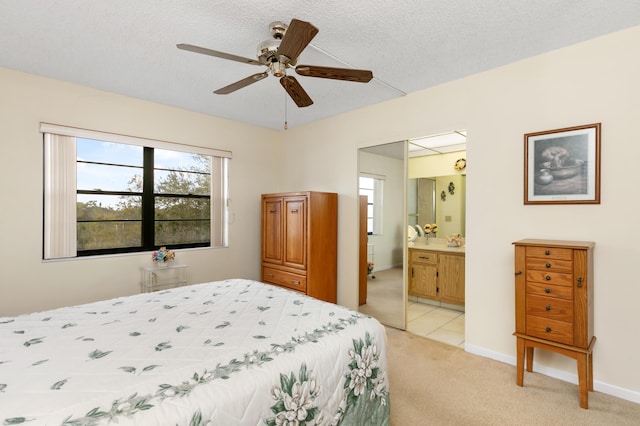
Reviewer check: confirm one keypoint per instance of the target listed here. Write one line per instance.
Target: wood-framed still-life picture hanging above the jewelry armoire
(562, 166)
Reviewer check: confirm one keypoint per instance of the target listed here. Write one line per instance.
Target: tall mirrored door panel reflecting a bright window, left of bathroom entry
(382, 180)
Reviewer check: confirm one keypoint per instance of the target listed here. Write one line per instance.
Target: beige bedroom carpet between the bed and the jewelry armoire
(432, 383)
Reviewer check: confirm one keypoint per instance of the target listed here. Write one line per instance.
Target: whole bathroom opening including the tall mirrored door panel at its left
(407, 185)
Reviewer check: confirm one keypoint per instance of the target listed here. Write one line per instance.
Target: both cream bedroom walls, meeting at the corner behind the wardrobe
(590, 82)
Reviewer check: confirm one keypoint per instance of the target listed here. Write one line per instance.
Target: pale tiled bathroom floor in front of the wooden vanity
(437, 323)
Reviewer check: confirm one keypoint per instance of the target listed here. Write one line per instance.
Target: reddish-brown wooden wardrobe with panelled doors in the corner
(300, 242)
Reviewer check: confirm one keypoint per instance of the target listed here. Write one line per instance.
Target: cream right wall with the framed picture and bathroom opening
(596, 81)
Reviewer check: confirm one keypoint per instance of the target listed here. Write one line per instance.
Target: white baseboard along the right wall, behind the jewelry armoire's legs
(605, 388)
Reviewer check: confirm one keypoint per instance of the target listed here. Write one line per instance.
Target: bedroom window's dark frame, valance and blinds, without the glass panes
(54, 244)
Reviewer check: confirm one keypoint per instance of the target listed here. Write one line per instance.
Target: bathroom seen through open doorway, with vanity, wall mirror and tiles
(436, 266)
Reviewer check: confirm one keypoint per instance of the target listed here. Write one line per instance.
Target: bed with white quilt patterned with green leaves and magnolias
(233, 352)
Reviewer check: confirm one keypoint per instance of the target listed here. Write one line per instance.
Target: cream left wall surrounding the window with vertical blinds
(29, 284)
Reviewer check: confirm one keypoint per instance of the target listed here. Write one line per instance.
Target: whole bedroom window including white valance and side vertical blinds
(108, 194)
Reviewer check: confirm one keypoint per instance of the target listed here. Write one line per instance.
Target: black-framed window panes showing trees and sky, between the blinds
(132, 198)
